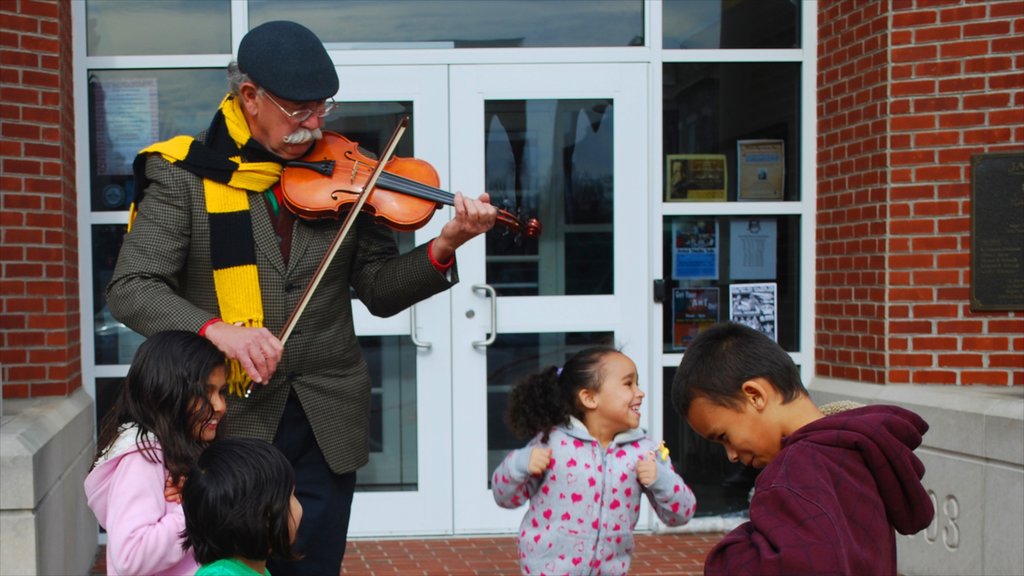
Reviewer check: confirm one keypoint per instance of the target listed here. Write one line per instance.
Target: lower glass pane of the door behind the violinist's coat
(394, 459)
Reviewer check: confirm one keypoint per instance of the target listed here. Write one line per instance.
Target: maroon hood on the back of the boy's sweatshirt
(885, 437)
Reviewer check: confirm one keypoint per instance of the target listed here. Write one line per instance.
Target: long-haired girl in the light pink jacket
(168, 410)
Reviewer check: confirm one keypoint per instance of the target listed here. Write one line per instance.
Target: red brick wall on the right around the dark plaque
(909, 91)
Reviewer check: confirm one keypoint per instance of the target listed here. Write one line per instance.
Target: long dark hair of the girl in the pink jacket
(166, 382)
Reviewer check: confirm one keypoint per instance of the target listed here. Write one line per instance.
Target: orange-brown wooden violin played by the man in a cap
(331, 177)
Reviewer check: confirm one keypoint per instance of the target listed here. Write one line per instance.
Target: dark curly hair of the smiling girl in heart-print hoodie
(547, 399)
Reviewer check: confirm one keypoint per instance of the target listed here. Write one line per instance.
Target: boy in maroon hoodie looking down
(833, 488)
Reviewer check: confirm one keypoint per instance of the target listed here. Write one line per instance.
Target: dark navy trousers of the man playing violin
(326, 500)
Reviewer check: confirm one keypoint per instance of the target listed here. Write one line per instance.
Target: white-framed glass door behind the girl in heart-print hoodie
(566, 145)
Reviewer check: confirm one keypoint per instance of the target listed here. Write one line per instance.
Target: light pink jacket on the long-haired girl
(126, 492)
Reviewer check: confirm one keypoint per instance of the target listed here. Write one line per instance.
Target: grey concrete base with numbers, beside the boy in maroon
(974, 460)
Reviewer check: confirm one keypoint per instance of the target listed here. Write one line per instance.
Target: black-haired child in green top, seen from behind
(240, 508)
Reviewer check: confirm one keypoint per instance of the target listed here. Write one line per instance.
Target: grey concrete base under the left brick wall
(47, 448)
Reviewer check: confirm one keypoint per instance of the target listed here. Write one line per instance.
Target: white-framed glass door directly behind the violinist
(410, 353)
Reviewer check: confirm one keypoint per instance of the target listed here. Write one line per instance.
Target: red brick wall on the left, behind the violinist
(39, 298)
